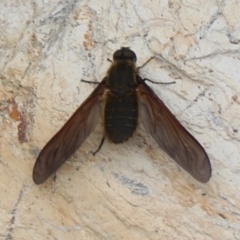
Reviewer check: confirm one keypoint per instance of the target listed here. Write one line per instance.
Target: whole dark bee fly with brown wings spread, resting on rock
(124, 96)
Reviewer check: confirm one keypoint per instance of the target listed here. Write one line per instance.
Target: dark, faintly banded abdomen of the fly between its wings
(121, 114)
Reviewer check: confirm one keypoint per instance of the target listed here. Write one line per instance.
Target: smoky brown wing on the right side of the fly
(171, 136)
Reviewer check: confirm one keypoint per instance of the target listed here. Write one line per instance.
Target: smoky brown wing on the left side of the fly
(70, 137)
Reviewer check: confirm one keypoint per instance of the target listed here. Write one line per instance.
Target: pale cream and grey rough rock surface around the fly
(132, 190)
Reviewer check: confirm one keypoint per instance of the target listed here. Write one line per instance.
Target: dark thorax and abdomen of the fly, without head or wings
(121, 109)
